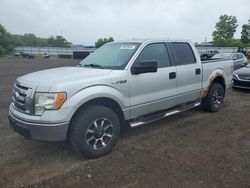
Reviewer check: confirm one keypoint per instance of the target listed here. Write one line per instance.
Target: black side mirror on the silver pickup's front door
(144, 67)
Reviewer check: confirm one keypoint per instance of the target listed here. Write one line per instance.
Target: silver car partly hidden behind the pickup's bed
(239, 59)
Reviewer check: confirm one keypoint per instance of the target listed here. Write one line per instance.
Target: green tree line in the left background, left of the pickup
(8, 41)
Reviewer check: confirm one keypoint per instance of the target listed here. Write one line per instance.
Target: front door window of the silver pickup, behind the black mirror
(156, 52)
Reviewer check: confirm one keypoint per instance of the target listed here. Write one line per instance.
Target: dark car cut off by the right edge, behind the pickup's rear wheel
(241, 77)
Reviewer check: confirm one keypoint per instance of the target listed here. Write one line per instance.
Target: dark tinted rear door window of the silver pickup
(183, 53)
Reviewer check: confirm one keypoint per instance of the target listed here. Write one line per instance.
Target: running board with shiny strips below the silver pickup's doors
(162, 115)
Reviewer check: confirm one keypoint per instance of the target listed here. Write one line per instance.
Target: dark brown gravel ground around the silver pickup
(191, 149)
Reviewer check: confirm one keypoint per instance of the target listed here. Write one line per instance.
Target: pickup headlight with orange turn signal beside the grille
(48, 101)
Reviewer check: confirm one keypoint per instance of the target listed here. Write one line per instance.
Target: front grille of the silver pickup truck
(22, 98)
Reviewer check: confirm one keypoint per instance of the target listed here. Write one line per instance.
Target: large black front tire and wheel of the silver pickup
(94, 131)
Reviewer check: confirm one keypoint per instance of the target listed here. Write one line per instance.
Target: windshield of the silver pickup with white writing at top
(111, 56)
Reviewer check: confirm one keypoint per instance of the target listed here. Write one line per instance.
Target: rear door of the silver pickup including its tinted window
(189, 72)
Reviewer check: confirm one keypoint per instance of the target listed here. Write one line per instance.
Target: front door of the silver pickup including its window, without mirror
(150, 92)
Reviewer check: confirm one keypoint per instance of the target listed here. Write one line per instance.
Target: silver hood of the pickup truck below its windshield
(44, 80)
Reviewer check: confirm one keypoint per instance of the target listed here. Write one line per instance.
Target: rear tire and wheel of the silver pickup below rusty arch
(214, 99)
